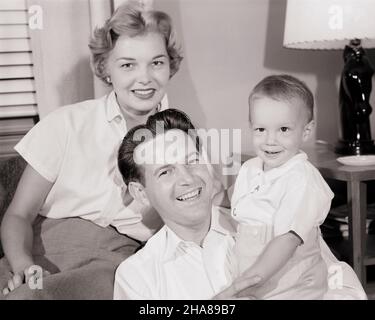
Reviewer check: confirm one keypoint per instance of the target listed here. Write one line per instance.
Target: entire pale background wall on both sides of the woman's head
(229, 45)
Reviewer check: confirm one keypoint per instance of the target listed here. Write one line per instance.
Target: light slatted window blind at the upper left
(17, 84)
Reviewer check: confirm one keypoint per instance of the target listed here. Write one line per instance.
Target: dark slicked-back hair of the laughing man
(159, 123)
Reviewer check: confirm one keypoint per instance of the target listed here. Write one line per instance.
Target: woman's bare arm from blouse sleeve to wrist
(16, 227)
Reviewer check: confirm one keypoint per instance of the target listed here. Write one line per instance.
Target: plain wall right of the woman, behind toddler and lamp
(229, 45)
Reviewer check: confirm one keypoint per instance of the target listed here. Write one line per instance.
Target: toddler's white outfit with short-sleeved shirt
(292, 197)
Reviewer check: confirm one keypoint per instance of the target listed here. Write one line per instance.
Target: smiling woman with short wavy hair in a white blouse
(72, 172)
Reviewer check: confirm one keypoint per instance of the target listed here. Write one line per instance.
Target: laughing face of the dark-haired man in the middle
(178, 185)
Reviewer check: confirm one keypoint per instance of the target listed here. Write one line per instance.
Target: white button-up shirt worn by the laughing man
(171, 268)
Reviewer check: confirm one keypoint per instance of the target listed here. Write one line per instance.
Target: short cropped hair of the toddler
(284, 87)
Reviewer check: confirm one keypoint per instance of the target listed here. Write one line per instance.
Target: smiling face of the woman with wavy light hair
(139, 71)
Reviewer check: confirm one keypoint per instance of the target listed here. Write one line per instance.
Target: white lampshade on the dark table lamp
(329, 24)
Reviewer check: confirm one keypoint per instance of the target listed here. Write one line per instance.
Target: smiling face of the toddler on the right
(278, 129)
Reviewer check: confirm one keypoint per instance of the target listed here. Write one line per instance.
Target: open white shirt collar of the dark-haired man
(221, 223)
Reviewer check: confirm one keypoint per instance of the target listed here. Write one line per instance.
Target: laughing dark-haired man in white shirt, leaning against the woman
(191, 257)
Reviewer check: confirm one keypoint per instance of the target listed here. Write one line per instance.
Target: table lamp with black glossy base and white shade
(348, 25)
